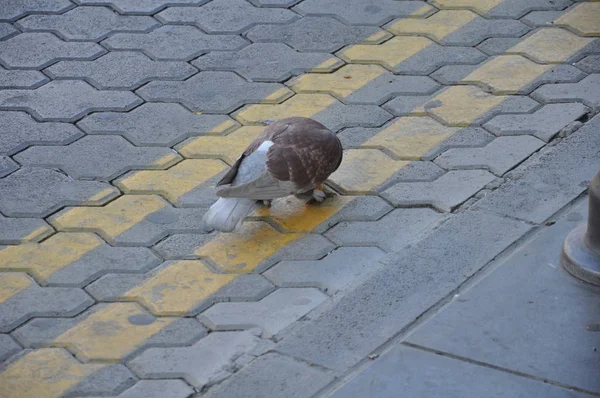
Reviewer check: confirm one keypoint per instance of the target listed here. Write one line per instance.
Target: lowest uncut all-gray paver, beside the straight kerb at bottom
(207, 362)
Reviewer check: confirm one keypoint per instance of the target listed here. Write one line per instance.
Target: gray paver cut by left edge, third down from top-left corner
(38, 50)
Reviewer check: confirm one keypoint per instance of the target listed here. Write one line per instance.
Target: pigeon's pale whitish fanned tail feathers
(228, 213)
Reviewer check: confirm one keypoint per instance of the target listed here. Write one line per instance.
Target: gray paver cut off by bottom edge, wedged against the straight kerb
(273, 375)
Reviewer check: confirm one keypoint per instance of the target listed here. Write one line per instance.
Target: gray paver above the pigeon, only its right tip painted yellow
(268, 62)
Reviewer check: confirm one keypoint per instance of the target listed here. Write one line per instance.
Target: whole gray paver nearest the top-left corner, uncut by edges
(87, 23)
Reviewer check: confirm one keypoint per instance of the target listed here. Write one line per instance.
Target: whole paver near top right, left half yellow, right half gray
(469, 29)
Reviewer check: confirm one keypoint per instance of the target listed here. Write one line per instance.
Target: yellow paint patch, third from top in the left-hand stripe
(389, 54)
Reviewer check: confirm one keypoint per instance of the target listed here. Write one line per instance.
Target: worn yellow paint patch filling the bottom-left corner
(45, 372)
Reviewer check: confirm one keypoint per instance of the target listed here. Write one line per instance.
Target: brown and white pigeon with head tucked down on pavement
(293, 156)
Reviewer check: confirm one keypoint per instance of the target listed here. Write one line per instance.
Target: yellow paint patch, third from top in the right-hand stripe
(506, 74)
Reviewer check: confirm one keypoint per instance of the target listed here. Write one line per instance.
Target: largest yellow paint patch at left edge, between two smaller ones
(43, 259)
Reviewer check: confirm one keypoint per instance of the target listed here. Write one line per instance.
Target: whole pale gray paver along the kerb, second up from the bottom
(272, 314)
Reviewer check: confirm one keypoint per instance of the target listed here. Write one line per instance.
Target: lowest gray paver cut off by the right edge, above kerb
(587, 91)
